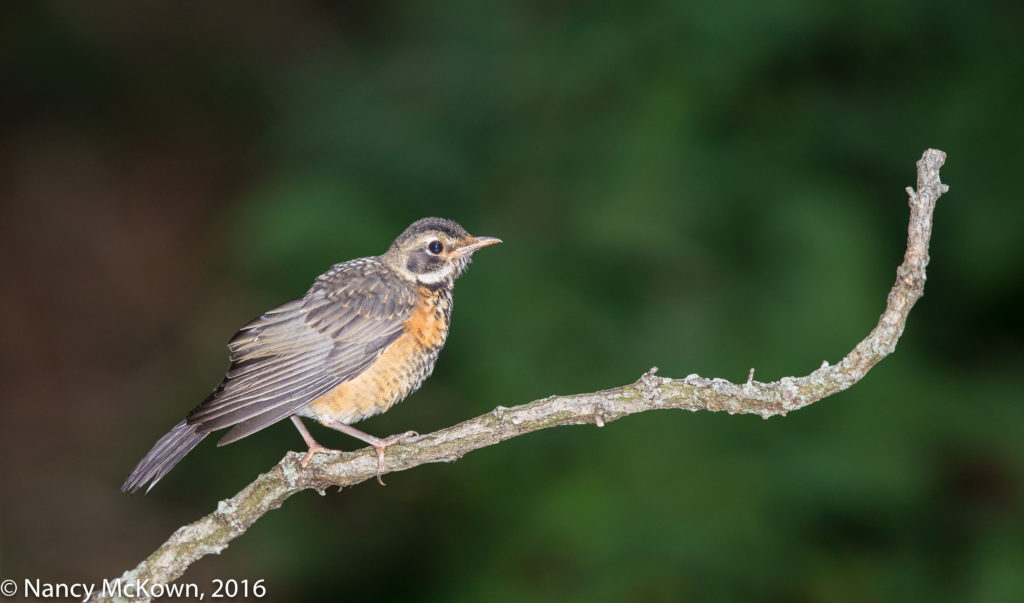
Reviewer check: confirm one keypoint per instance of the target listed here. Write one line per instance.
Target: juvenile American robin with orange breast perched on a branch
(364, 337)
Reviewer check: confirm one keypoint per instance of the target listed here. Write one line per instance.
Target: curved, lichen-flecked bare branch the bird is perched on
(235, 515)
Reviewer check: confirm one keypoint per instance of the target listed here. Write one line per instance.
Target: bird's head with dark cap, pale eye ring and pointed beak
(435, 251)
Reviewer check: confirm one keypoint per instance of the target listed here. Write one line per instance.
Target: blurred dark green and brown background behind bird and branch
(706, 187)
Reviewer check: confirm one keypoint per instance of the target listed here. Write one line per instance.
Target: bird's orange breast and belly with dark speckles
(399, 370)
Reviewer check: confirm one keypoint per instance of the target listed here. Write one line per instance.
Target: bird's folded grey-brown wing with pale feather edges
(293, 355)
